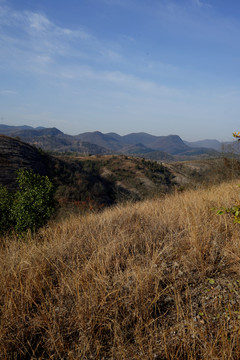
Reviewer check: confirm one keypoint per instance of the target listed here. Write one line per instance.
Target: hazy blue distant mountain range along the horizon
(166, 148)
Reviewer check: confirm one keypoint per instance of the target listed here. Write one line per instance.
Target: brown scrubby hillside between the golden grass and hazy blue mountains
(108, 179)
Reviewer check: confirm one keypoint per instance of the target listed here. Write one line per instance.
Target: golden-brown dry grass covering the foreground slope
(154, 280)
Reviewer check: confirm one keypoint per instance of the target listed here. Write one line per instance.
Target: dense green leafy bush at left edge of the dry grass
(30, 207)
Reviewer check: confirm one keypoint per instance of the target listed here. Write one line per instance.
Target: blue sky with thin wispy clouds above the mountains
(157, 66)
